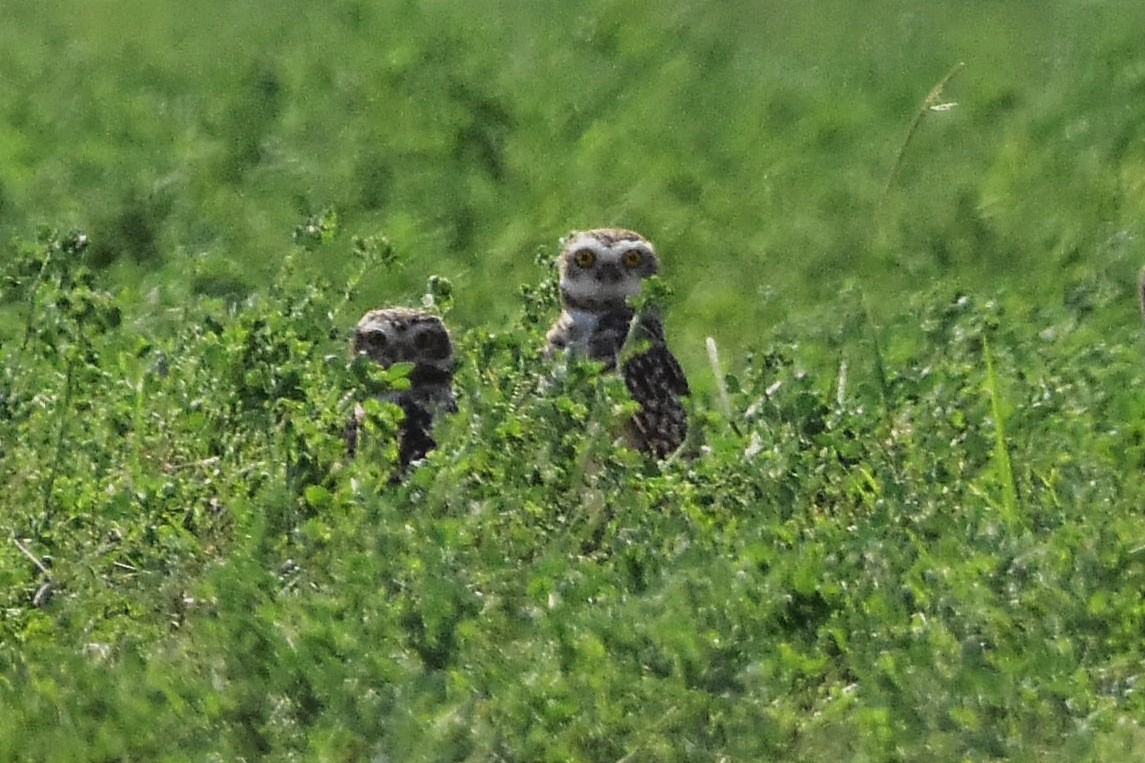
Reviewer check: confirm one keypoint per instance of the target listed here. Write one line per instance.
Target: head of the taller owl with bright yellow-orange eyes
(605, 266)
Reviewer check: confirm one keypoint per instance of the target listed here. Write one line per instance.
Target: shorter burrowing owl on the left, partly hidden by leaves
(398, 335)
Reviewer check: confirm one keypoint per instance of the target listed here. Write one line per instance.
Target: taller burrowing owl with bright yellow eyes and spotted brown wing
(599, 272)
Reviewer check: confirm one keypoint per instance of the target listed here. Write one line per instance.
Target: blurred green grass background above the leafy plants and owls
(754, 143)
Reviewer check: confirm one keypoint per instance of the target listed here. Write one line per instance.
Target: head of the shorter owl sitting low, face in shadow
(399, 335)
